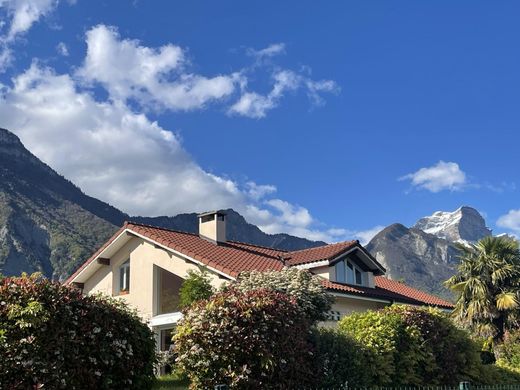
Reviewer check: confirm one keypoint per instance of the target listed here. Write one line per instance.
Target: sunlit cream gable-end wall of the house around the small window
(144, 257)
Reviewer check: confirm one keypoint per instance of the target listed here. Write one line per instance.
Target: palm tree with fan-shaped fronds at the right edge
(488, 286)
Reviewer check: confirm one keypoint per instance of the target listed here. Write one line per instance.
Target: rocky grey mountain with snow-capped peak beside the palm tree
(425, 255)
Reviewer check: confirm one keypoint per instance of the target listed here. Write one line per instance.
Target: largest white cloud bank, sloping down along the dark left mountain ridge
(131, 162)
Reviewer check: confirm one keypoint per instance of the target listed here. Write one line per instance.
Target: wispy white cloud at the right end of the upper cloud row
(254, 105)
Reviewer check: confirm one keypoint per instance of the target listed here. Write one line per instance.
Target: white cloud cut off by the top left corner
(20, 15)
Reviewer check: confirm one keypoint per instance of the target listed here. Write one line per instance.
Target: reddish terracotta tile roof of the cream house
(232, 257)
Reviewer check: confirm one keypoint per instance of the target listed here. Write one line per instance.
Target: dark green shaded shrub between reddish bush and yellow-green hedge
(339, 359)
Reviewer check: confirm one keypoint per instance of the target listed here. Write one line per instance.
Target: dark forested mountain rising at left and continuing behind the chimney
(48, 224)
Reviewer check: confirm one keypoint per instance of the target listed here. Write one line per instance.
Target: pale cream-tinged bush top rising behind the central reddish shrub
(301, 285)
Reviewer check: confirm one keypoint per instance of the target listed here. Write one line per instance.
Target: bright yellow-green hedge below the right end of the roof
(413, 346)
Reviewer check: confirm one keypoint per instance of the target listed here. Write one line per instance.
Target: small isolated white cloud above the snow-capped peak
(442, 176)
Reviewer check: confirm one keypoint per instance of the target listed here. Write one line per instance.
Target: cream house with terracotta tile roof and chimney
(146, 265)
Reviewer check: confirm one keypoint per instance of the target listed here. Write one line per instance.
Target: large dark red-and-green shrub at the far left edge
(53, 337)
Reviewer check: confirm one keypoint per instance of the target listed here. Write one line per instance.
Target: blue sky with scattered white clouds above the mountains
(322, 119)
